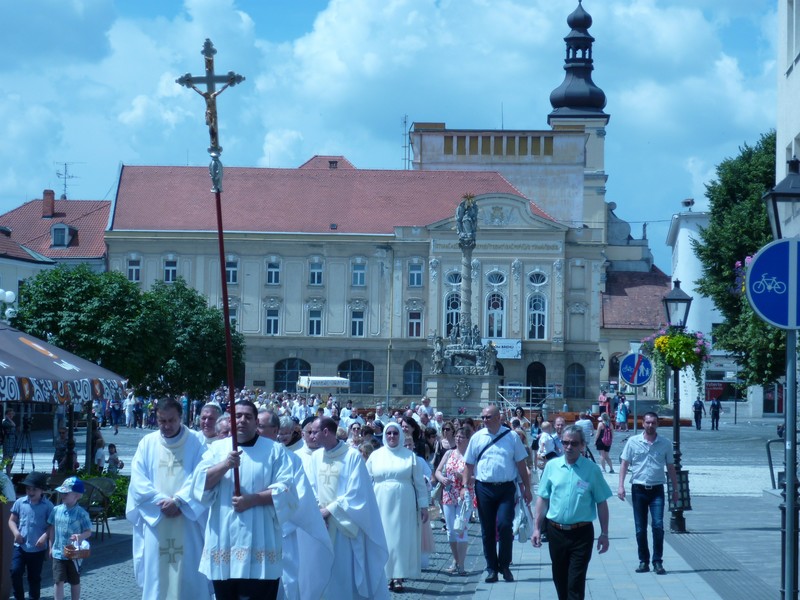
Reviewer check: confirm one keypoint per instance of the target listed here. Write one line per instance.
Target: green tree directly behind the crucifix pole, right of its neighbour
(186, 347)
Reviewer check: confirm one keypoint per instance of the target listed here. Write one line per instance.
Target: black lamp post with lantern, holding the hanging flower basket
(677, 304)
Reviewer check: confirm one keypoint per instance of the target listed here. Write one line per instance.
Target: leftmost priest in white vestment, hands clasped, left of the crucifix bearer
(168, 522)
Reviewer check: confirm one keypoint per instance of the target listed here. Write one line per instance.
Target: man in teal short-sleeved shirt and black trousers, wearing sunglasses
(572, 493)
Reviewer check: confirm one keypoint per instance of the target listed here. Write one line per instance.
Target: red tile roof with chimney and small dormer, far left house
(87, 217)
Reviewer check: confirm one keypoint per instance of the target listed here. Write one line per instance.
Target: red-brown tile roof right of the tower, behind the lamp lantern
(632, 300)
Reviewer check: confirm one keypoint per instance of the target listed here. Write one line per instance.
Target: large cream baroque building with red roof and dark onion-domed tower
(334, 270)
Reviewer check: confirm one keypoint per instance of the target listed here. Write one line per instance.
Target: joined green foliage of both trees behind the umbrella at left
(165, 341)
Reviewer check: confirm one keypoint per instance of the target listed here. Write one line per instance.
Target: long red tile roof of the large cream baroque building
(307, 200)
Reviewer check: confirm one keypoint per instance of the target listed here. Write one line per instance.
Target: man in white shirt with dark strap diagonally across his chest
(496, 458)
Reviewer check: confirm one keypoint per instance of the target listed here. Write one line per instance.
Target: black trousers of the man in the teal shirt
(570, 553)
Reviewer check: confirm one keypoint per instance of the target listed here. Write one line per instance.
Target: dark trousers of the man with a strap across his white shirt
(496, 512)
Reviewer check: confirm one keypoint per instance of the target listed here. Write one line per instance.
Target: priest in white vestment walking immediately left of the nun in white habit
(347, 503)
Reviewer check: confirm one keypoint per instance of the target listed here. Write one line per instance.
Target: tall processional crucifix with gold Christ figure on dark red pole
(210, 80)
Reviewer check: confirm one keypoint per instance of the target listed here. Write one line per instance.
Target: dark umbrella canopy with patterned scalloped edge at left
(34, 371)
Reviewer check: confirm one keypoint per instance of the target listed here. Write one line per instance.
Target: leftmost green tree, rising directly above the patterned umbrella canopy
(91, 314)
